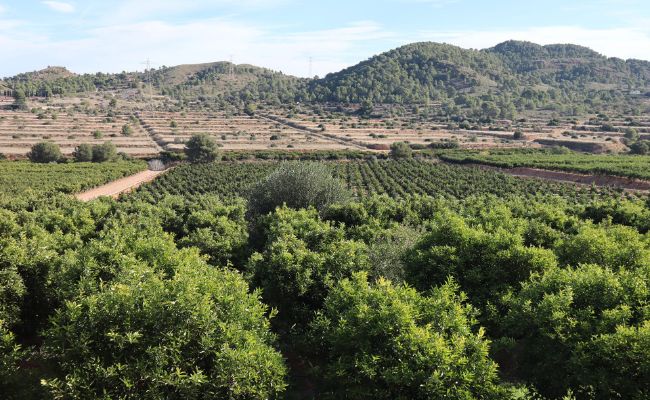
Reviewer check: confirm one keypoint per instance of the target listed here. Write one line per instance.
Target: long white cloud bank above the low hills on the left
(123, 47)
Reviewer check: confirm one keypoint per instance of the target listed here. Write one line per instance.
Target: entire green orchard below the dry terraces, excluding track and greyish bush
(129, 298)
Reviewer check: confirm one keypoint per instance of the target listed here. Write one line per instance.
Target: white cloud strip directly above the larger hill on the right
(628, 42)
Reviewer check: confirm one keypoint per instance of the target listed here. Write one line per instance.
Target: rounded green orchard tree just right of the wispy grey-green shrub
(485, 262)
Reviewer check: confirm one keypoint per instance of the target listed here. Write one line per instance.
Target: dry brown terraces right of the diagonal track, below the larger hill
(597, 134)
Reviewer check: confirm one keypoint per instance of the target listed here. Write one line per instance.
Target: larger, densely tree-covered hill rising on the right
(523, 73)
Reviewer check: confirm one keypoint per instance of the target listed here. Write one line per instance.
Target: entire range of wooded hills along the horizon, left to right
(497, 82)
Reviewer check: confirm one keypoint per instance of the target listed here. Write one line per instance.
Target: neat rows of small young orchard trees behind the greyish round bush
(398, 179)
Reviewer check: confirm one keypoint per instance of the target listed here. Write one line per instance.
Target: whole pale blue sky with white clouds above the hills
(284, 35)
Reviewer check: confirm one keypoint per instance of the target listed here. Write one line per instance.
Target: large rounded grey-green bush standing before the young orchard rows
(298, 185)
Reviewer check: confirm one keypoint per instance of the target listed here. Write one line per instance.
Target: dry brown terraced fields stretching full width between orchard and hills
(91, 119)
